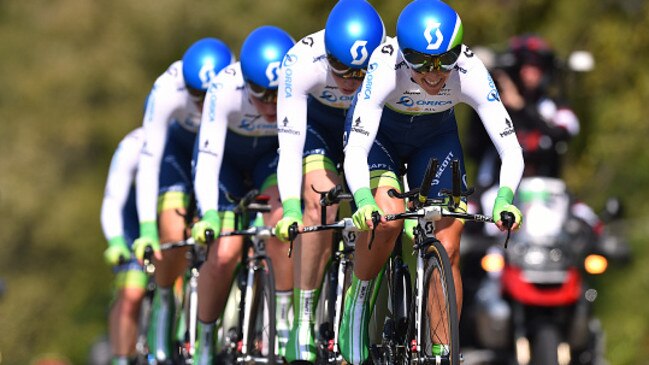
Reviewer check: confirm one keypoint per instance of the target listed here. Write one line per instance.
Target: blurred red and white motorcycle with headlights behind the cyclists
(534, 301)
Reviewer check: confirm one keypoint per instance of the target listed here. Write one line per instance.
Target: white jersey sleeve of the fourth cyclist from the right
(160, 107)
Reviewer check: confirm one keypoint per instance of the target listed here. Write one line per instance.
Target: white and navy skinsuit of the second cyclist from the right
(310, 112)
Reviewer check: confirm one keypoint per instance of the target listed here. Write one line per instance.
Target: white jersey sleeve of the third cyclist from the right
(221, 100)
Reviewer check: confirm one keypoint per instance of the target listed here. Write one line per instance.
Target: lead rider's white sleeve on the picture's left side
(379, 82)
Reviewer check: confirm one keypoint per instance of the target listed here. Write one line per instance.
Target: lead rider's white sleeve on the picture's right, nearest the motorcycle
(479, 91)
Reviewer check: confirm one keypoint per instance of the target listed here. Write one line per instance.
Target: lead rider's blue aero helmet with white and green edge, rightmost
(429, 33)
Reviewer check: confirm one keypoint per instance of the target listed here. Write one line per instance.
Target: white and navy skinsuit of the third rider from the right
(235, 143)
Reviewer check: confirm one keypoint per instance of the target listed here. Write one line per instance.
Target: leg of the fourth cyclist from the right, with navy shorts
(175, 188)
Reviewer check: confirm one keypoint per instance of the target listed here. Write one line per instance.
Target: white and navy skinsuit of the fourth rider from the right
(171, 121)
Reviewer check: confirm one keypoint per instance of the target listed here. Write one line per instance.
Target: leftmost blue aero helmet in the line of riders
(202, 61)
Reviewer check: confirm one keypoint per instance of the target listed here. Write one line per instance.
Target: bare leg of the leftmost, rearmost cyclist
(130, 288)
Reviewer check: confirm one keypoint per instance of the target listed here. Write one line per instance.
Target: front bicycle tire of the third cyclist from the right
(262, 336)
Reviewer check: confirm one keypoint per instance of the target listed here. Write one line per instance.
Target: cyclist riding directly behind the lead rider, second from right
(317, 81)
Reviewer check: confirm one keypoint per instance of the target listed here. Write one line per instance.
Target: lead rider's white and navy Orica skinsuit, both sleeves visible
(395, 122)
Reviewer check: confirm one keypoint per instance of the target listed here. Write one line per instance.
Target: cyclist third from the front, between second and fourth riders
(237, 151)
